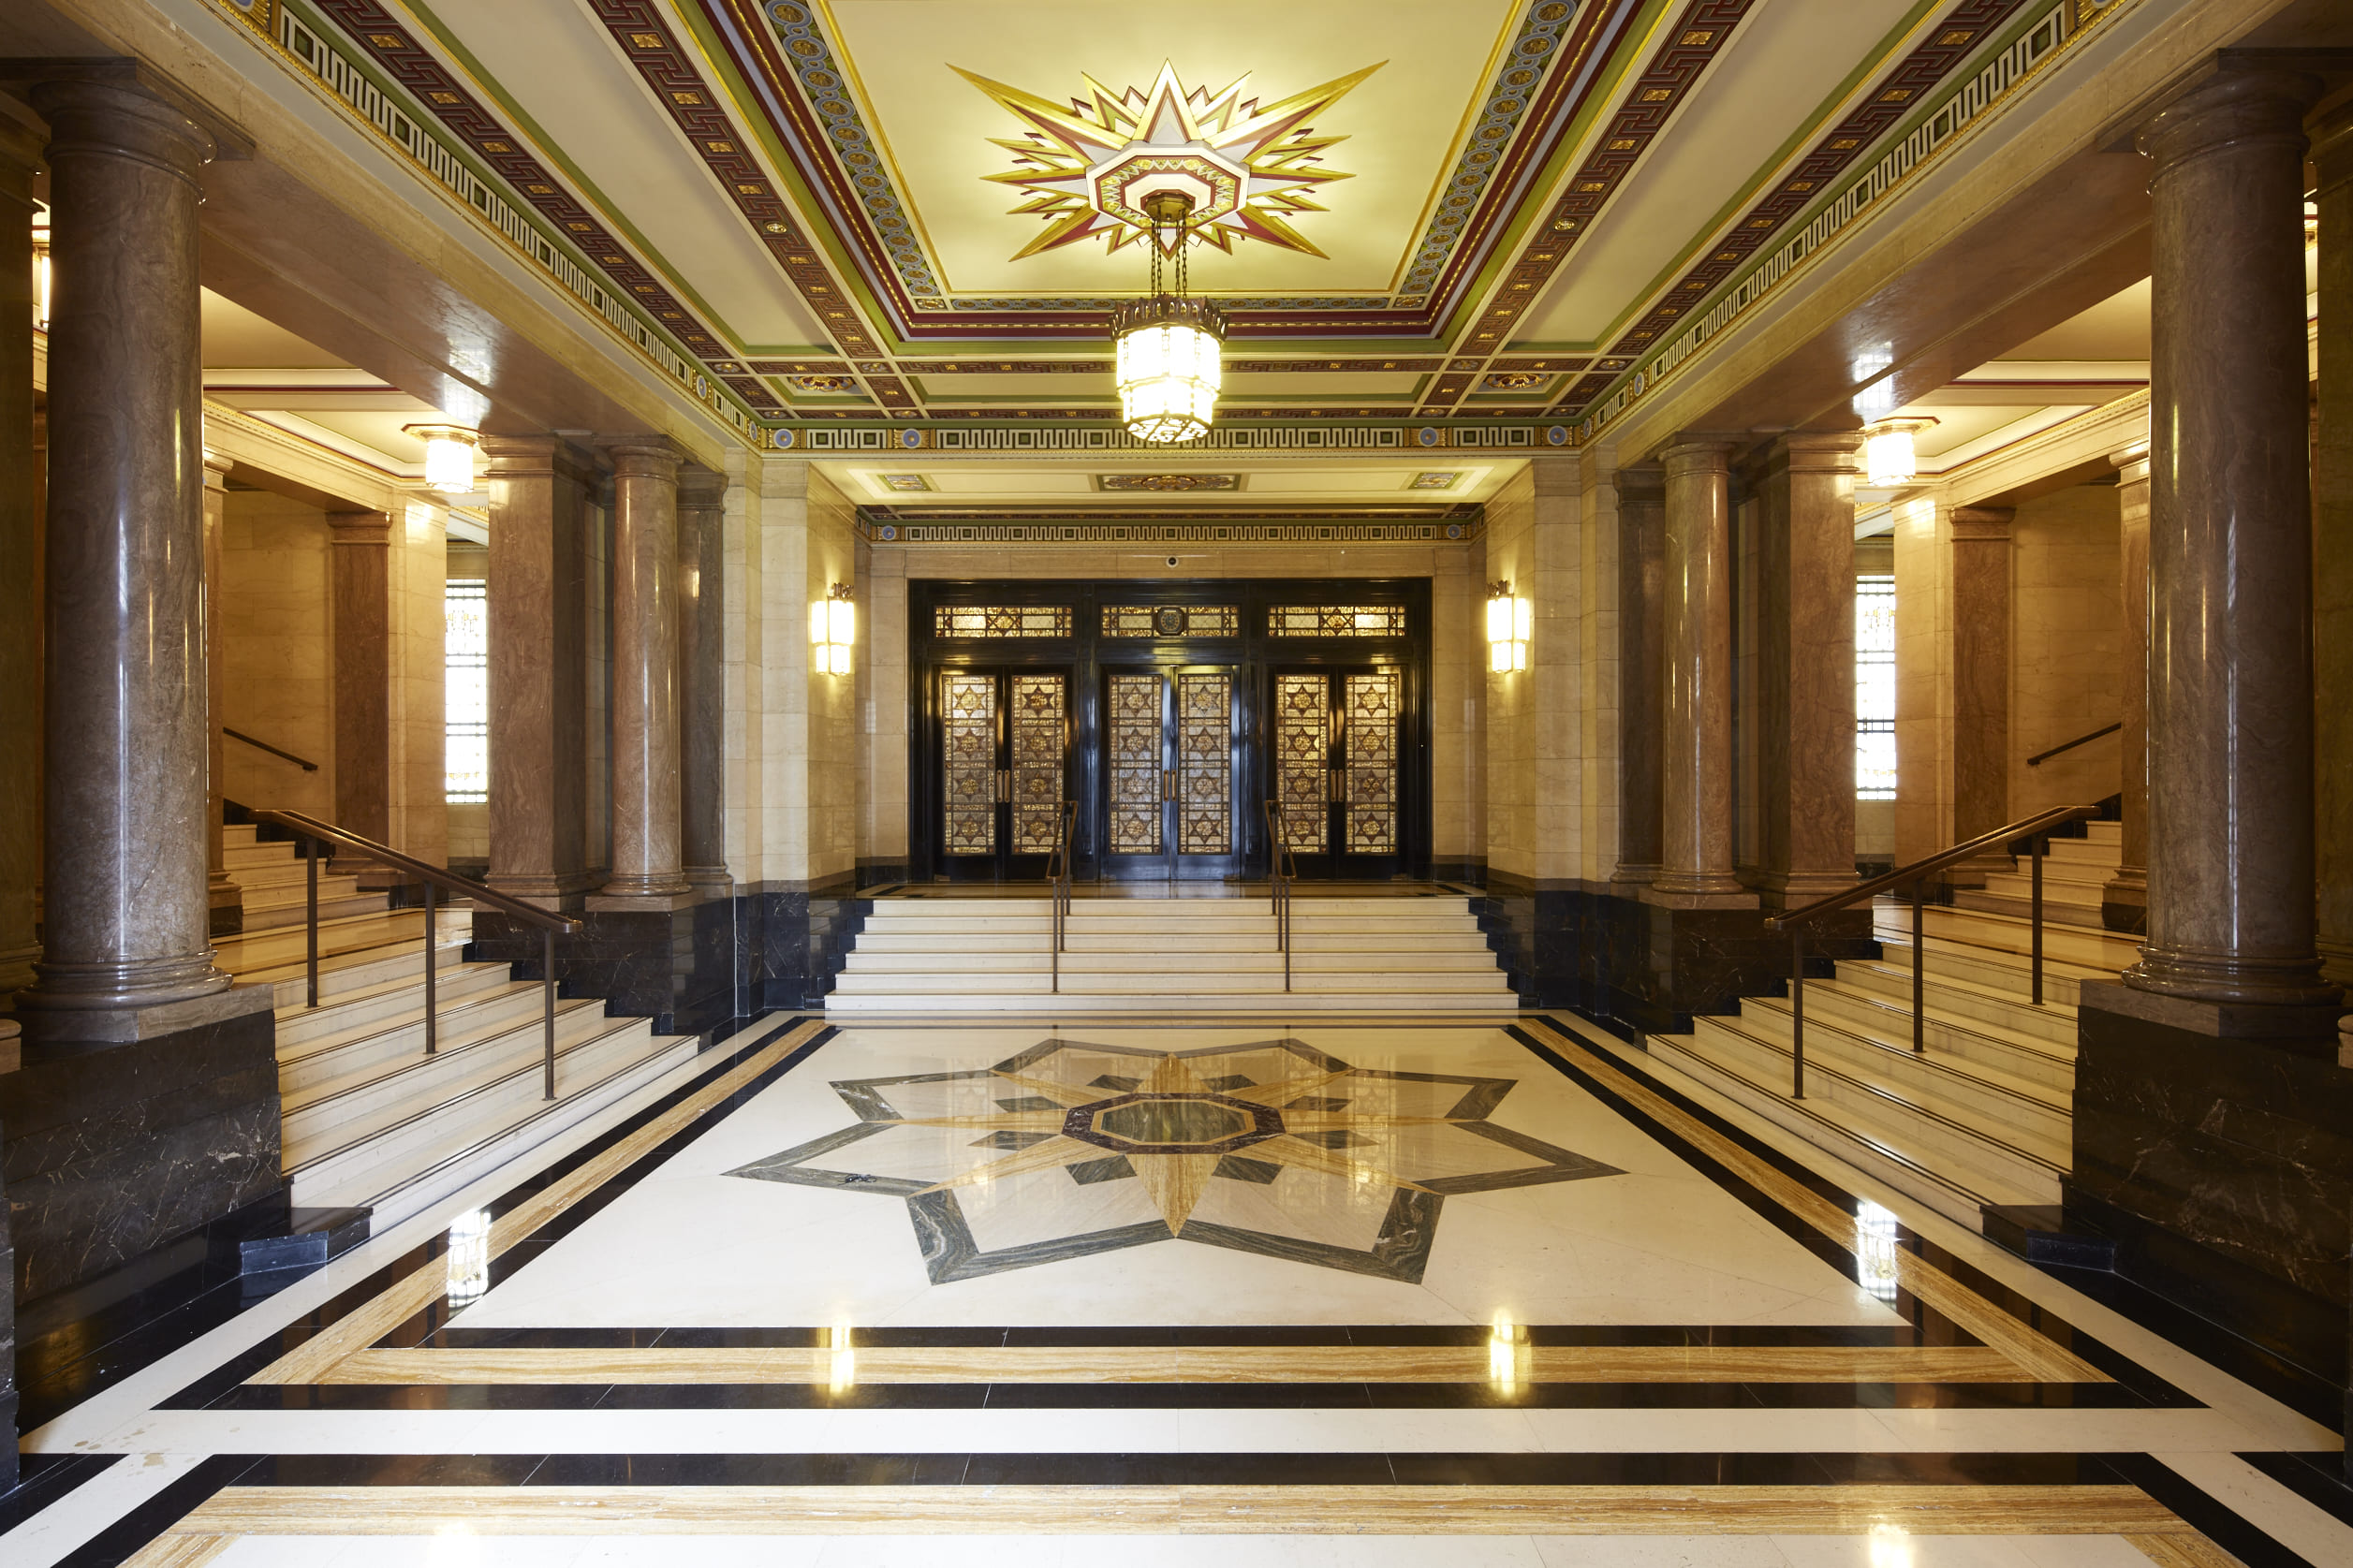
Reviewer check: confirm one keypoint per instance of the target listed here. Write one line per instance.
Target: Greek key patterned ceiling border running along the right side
(1926, 135)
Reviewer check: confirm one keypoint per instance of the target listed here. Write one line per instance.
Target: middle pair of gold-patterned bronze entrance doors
(1171, 772)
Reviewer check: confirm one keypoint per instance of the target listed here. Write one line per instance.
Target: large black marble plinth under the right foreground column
(2225, 1170)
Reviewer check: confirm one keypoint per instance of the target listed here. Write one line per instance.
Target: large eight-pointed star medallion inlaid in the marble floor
(1272, 1148)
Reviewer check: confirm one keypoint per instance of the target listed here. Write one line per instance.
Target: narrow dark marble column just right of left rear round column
(702, 676)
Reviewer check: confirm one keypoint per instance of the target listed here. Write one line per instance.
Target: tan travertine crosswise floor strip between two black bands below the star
(1192, 1365)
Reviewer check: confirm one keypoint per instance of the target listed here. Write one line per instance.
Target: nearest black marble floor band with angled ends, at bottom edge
(1385, 1470)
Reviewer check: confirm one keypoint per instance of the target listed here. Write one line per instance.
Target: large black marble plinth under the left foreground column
(119, 1151)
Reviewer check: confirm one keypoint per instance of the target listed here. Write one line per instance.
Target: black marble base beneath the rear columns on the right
(1637, 967)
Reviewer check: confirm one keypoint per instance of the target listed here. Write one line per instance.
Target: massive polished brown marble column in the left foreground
(126, 711)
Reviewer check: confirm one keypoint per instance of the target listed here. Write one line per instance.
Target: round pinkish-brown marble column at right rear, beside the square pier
(1698, 763)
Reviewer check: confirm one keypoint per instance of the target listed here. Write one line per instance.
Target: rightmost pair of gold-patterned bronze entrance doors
(1338, 735)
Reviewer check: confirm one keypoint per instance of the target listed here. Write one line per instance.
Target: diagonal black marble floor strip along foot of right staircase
(2128, 1374)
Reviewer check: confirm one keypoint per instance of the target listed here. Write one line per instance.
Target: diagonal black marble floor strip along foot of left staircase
(236, 1369)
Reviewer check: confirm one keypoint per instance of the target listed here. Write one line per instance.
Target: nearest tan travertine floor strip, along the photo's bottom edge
(1187, 1510)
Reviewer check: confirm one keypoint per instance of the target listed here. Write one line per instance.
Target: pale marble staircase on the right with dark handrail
(1987, 1113)
